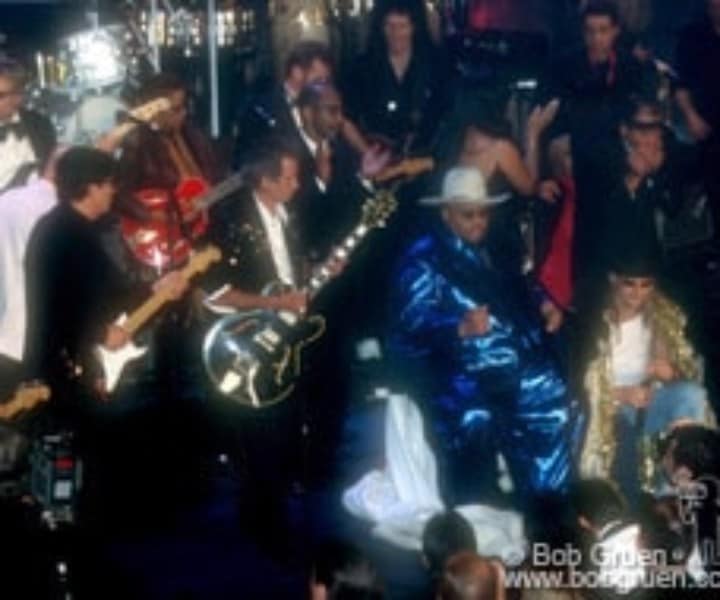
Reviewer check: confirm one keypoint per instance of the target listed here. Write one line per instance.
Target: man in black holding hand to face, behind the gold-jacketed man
(635, 173)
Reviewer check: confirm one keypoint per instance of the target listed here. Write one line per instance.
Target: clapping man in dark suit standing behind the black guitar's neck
(333, 187)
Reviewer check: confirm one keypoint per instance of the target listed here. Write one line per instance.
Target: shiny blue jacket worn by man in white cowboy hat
(438, 280)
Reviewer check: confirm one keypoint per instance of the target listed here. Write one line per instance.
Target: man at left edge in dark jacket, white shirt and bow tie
(26, 138)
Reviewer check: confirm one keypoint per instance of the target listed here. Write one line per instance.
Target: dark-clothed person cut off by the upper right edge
(698, 94)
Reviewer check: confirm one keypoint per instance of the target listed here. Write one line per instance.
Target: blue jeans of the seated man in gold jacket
(680, 400)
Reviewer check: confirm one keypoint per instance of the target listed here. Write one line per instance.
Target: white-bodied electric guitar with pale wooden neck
(113, 362)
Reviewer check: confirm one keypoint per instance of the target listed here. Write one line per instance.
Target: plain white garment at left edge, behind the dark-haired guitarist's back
(20, 209)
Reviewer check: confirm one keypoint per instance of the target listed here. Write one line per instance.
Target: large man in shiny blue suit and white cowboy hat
(470, 342)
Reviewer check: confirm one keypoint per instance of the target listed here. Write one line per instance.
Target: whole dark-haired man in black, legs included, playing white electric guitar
(74, 292)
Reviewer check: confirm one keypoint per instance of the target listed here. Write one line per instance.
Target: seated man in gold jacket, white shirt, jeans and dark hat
(642, 375)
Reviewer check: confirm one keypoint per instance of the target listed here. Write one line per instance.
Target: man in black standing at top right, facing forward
(595, 85)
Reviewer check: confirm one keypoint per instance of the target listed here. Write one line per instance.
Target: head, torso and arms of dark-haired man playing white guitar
(74, 289)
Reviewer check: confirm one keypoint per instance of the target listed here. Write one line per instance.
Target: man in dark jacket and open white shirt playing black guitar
(260, 246)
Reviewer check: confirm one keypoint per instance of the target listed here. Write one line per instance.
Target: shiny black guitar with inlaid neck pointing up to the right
(255, 357)
